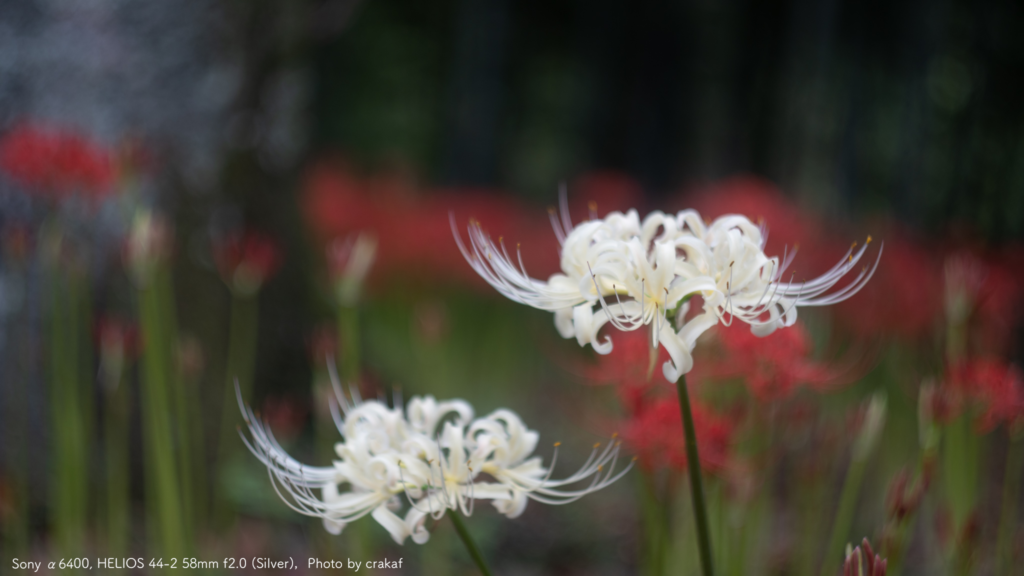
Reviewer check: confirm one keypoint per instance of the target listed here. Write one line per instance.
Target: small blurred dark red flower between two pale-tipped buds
(247, 261)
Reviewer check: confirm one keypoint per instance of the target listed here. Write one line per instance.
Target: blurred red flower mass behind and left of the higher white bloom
(413, 227)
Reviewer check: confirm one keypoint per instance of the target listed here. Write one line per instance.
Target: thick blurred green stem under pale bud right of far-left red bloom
(164, 498)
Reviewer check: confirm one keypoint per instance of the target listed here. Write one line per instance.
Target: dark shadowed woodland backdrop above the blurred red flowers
(912, 108)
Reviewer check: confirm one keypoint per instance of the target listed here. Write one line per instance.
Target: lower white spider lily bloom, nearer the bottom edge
(431, 459)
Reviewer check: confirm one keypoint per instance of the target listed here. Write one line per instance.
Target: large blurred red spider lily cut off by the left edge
(57, 162)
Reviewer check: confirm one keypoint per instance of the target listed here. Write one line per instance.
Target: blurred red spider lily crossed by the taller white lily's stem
(655, 434)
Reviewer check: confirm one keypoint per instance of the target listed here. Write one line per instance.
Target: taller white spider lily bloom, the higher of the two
(628, 273)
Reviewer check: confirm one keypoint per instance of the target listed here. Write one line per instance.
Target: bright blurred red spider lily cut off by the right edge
(996, 388)
